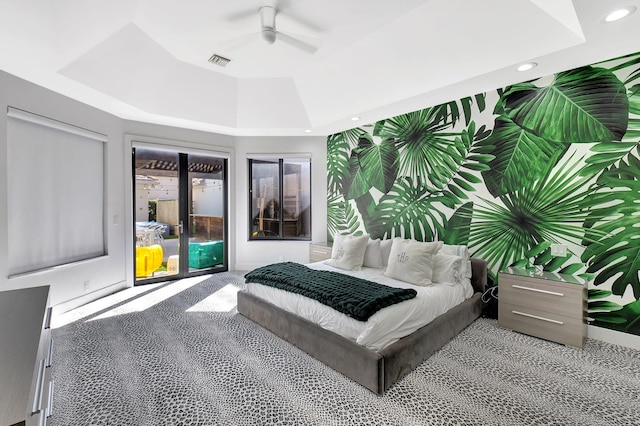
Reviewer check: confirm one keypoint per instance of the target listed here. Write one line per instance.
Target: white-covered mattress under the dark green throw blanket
(384, 327)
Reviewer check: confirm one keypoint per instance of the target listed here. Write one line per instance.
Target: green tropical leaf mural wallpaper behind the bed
(509, 173)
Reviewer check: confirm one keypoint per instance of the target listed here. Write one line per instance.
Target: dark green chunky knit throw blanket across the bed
(352, 296)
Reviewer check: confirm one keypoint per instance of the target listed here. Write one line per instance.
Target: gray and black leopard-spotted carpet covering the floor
(178, 354)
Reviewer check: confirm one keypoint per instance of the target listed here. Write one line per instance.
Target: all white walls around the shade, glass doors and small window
(115, 271)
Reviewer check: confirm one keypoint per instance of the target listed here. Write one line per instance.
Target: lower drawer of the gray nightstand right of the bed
(543, 324)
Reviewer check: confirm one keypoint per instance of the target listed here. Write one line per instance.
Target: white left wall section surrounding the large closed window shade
(67, 282)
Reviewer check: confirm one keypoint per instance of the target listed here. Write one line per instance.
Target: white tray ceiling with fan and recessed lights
(147, 60)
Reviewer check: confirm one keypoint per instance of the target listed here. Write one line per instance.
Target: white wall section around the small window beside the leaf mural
(251, 254)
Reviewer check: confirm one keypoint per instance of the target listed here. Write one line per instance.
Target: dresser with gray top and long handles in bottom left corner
(25, 357)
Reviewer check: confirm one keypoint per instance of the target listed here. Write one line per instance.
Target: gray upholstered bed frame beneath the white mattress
(376, 371)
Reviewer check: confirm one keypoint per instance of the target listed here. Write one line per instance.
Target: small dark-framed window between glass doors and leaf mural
(280, 198)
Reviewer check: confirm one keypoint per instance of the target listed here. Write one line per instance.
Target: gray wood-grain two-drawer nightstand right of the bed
(548, 305)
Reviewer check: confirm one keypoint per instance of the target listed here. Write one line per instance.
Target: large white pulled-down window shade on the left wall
(55, 178)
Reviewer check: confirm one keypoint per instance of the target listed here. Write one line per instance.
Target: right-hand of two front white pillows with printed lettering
(411, 261)
